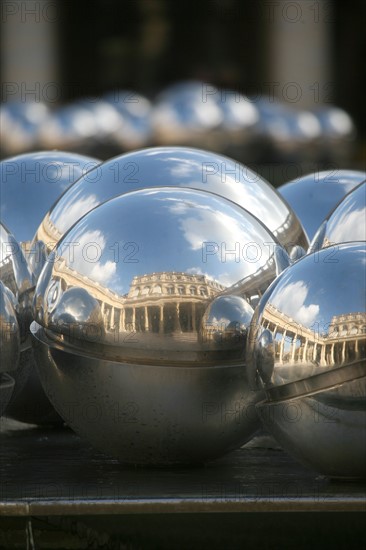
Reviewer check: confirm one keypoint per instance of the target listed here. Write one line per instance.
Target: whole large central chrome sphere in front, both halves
(119, 316)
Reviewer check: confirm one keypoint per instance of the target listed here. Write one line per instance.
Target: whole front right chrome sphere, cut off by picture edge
(307, 350)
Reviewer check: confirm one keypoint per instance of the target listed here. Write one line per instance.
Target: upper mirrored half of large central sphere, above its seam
(137, 274)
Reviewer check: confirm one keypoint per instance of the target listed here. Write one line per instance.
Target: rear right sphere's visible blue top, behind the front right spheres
(313, 196)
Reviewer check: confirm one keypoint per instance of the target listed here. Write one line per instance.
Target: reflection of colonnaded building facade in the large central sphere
(156, 302)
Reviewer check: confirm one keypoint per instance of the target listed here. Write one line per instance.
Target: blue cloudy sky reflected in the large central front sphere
(165, 230)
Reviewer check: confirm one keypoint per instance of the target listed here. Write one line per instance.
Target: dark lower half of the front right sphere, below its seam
(326, 431)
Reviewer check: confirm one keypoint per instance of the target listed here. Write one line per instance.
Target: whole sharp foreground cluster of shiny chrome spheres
(168, 301)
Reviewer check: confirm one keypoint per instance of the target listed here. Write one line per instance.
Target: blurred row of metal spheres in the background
(258, 129)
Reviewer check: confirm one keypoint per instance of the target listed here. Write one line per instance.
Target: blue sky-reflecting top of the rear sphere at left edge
(31, 183)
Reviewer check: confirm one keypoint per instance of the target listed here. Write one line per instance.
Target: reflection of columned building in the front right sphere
(342, 342)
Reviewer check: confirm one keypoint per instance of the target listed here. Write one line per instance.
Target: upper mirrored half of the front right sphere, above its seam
(312, 320)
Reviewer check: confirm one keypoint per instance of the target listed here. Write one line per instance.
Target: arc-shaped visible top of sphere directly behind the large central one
(179, 167)
